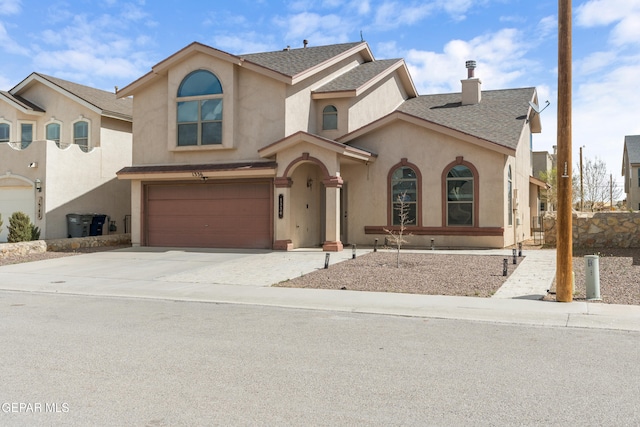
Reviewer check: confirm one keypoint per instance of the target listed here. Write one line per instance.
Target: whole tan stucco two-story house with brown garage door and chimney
(312, 147)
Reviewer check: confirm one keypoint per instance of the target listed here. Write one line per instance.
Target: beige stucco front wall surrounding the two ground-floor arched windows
(430, 152)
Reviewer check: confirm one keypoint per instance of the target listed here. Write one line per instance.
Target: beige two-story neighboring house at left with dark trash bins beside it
(61, 145)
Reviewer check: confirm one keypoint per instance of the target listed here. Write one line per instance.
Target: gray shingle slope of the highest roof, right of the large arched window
(291, 62)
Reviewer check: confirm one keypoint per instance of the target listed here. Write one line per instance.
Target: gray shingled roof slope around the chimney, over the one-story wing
(499, 117)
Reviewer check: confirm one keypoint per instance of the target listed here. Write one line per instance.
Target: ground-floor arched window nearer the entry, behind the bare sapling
(404, 196)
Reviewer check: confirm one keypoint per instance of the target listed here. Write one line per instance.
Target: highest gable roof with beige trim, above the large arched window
(288, 66)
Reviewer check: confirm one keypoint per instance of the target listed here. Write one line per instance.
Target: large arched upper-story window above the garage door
(200, 109)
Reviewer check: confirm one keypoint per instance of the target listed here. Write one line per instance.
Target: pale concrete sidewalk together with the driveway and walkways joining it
(244, 277)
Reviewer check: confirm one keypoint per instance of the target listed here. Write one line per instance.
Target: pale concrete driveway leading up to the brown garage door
(145, 267)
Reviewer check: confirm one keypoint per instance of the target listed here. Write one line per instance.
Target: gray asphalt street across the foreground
(84, 360)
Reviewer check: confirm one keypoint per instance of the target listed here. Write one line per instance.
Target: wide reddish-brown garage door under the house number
(209, 215)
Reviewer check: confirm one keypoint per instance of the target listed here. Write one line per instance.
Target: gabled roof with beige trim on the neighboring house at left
(102, 102)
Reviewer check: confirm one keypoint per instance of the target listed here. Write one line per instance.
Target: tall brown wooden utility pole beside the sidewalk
(564, 246)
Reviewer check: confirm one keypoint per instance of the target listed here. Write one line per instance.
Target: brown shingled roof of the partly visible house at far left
(105, 101)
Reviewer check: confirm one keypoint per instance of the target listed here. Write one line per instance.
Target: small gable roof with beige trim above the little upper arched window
(360, 78)
